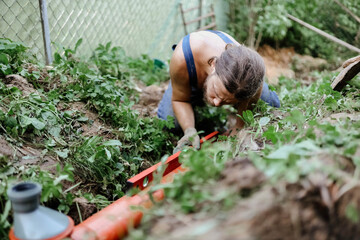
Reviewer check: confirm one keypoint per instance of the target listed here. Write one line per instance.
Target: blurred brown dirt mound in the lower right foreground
(313, 208)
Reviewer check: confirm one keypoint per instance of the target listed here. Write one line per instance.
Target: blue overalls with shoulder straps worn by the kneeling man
(165, 107)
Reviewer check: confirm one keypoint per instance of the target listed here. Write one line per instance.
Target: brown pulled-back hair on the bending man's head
(241, 69)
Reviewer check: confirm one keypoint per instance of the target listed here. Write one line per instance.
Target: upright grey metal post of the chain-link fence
(46, 31)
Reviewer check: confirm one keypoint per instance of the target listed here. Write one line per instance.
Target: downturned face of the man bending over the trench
(215, 92)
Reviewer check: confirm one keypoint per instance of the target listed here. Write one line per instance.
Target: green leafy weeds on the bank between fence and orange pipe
(44, 119)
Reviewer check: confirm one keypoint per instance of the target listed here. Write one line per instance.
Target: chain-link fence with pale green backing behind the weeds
(139, 26)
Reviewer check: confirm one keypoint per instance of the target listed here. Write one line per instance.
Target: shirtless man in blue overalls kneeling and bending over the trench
(211, 65)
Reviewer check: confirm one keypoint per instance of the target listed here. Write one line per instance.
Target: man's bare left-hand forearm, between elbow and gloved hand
(184, 114)
